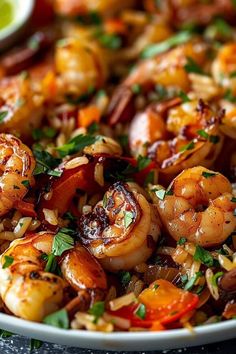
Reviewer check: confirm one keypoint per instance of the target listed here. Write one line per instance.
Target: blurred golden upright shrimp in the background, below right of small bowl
(80, 65)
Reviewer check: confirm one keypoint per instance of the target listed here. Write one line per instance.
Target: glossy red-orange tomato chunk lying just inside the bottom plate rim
(164, 303)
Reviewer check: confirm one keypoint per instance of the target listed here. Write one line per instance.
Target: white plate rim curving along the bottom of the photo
(171, 339)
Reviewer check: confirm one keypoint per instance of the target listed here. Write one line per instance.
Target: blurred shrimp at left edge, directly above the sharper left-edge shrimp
(20, 105)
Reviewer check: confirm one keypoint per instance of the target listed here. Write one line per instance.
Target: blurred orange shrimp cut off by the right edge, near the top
(224, 67)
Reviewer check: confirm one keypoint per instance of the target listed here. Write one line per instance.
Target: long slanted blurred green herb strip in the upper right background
(180, 38)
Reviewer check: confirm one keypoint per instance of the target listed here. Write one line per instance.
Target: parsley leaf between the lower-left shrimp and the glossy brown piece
(62, 242)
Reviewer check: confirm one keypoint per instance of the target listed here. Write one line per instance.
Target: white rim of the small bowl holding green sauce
(22, 11)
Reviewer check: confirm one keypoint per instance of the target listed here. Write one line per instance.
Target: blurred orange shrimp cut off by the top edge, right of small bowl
(75, 7)
